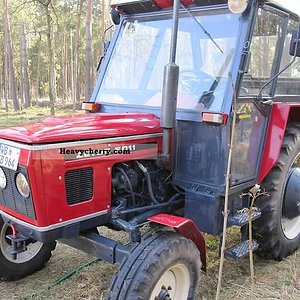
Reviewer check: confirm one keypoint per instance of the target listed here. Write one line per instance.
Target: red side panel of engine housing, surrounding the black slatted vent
(47, 168)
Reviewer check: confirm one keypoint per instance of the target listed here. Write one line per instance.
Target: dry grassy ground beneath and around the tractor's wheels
(274, 280)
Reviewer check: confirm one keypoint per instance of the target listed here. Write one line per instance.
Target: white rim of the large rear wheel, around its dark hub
(291, 227)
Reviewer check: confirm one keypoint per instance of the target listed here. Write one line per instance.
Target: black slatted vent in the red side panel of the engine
(79, 185)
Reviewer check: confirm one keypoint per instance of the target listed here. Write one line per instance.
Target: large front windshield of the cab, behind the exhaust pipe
(133, 74)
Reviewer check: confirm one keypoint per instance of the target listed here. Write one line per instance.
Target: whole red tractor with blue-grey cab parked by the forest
(154, 145)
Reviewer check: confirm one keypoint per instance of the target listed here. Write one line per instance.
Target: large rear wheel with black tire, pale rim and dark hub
(278, 230)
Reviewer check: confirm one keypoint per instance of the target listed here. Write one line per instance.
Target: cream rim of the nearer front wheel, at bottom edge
(174, 284)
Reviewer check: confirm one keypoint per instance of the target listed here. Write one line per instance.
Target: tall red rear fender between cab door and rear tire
(274, 138)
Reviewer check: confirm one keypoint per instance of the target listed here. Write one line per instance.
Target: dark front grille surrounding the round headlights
(10, 197)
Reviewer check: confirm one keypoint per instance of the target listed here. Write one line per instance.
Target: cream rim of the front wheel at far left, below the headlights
(32, 248)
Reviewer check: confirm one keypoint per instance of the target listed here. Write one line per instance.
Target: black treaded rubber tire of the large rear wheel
(267, 229)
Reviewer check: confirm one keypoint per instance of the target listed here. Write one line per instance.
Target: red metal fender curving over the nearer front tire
(186, 228)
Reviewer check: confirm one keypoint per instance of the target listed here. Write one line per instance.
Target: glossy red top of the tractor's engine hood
(83, 127)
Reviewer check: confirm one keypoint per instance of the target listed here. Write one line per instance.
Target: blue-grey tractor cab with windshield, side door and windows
(224, 48)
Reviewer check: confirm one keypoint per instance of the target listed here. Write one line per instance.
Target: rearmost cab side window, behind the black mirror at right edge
(288, 81)
